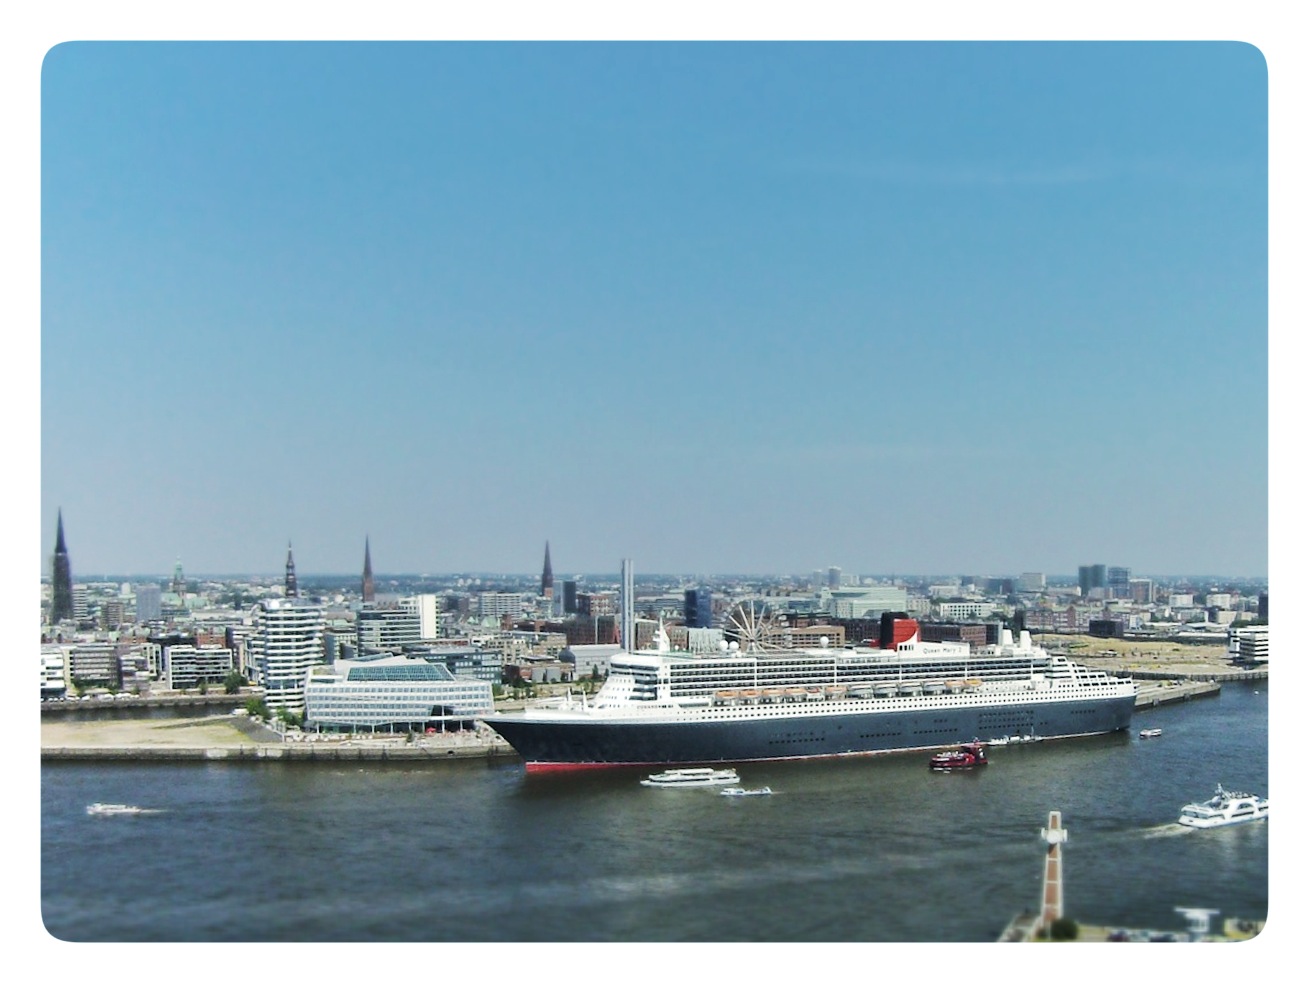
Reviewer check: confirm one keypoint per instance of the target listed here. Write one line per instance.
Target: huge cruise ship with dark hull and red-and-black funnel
(662, 707)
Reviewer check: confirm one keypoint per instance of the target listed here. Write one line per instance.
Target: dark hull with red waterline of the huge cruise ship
(587, 742)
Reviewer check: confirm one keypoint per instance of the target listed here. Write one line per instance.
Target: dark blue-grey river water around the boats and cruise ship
(867, 850)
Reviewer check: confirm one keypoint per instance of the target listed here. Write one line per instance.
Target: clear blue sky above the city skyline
(901, 308)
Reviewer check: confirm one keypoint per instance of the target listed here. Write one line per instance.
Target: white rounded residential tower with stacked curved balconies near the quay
(285, 643)
